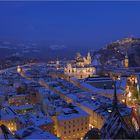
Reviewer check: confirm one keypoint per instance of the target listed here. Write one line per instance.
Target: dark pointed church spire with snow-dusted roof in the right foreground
(116, 127)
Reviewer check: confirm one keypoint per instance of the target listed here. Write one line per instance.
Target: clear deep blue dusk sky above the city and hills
(85, 24)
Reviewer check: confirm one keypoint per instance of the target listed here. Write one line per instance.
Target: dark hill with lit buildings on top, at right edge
(118, 50)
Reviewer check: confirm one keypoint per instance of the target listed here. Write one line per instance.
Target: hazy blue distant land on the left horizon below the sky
(43, 50)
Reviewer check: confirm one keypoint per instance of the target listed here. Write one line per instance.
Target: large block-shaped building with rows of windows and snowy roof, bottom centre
(72, 123)
